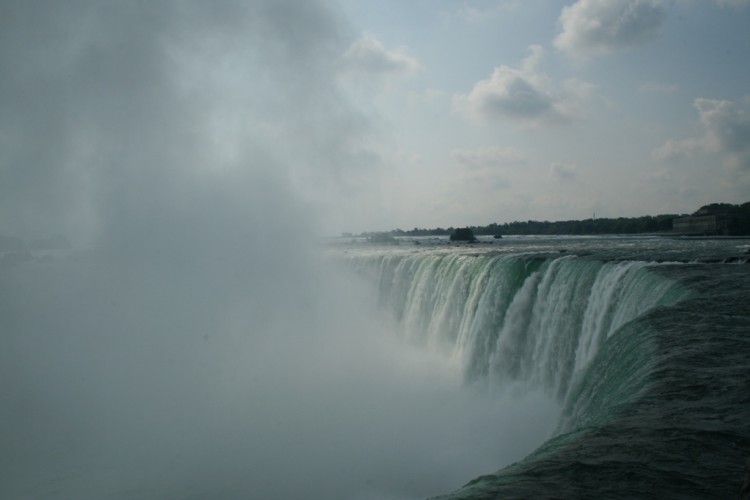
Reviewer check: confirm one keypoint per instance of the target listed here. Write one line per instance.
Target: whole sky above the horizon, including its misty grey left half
(356, 115)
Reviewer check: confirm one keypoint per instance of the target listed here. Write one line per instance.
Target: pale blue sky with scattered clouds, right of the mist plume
(515, 110)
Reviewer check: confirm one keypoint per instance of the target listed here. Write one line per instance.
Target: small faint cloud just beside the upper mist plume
(368, 56)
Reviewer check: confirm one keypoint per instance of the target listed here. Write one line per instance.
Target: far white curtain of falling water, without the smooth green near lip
(528, 318)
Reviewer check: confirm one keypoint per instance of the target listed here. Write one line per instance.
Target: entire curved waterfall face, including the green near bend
(567, 325)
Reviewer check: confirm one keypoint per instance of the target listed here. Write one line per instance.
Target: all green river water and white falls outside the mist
(644, 343)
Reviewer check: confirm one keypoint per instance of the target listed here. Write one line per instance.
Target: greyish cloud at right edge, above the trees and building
(726, 133)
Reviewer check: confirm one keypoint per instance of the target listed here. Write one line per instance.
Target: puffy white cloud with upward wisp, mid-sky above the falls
(524, 94)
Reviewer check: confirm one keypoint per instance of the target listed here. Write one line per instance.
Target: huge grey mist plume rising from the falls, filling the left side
(201, 346)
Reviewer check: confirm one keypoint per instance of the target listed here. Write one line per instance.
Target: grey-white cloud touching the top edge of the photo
(592, 27)
